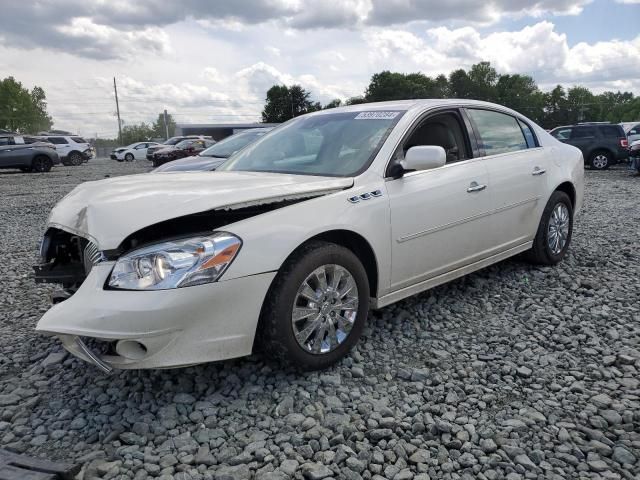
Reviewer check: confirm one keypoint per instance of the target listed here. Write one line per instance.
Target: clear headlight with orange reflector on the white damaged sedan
(174, 264)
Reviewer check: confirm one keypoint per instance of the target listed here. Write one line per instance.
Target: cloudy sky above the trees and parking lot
(213, 60)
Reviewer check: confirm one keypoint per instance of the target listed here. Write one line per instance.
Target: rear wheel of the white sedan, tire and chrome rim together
(554, 232)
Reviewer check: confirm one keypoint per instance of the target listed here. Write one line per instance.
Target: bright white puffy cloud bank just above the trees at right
(537, 50)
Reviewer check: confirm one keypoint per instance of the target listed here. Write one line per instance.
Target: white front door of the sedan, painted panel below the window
(437, 224)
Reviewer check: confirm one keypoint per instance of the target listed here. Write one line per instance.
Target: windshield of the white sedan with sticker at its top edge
(331, 144)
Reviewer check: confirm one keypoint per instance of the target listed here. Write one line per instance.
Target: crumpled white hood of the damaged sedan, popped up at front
(107, 211)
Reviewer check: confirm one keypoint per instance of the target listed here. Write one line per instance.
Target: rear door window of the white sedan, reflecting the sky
(499, 133)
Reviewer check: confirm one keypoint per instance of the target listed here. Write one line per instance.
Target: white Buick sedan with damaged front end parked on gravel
(290, 243)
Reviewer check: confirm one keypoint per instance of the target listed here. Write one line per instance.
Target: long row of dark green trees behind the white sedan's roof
(560, 106)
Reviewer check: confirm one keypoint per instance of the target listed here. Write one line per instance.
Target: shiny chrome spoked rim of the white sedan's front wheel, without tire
(325, 309)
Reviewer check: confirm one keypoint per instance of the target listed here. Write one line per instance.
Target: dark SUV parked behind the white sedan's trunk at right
(602, 144)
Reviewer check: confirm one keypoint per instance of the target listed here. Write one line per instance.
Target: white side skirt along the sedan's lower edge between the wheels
(446, 277)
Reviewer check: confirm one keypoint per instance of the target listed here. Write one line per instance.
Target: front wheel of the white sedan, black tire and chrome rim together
(316, 308)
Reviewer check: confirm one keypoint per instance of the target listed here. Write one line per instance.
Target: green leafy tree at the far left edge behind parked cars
(22, 110)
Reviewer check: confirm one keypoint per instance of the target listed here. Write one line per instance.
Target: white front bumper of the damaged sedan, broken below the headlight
(157, 329)
